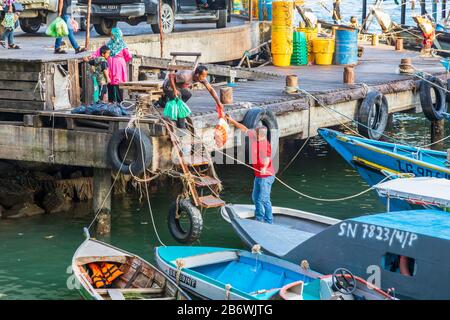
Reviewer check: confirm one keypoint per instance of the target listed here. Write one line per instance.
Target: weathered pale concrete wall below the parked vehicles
(237, 39)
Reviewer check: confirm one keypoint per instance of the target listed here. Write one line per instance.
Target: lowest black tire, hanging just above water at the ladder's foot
(195, 222)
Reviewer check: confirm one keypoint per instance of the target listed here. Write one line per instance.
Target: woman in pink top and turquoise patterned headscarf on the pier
(117, 64)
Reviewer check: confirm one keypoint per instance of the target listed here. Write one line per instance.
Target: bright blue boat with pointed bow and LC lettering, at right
(376, 160)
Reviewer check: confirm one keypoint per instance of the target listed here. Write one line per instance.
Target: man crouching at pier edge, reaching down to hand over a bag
(179, 84)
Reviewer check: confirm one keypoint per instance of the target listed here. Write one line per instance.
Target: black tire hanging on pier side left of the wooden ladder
(143, 151)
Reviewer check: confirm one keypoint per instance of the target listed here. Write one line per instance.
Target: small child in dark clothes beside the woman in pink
(99, 69)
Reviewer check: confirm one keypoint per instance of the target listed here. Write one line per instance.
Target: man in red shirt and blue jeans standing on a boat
(261, 160)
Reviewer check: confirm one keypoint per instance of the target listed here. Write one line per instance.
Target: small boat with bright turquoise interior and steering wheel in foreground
(231, 274)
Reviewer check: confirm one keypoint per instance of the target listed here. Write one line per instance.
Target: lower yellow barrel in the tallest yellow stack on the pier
(282, 39)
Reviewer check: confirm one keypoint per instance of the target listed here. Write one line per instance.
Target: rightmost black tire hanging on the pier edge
(433, 111)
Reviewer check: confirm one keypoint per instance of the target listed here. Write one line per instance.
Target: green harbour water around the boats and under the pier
(36, 252)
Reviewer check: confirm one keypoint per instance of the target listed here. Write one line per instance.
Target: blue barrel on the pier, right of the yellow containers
(346, 47)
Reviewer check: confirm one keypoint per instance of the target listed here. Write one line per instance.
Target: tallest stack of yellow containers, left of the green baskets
(282, 35)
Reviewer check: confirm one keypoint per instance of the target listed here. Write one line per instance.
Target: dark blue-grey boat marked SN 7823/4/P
(404, 250)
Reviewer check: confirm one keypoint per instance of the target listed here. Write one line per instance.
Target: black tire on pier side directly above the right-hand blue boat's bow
(373, 115)
